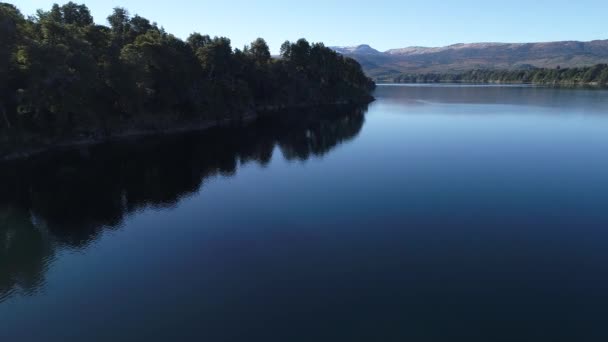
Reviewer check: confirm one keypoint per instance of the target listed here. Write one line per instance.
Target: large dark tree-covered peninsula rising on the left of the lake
(65, 79)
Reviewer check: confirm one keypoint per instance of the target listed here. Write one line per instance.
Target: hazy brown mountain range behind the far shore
(463, 57)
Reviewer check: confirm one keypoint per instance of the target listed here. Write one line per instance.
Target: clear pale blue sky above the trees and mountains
(384, 24)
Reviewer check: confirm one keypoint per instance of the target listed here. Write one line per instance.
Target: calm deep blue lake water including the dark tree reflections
(438, 213)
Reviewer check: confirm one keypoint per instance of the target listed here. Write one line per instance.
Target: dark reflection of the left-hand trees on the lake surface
(67, 199)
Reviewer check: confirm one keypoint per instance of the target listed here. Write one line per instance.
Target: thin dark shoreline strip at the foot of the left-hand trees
(188, 127)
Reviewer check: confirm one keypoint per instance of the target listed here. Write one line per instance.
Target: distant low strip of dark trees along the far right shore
(593, 75)
